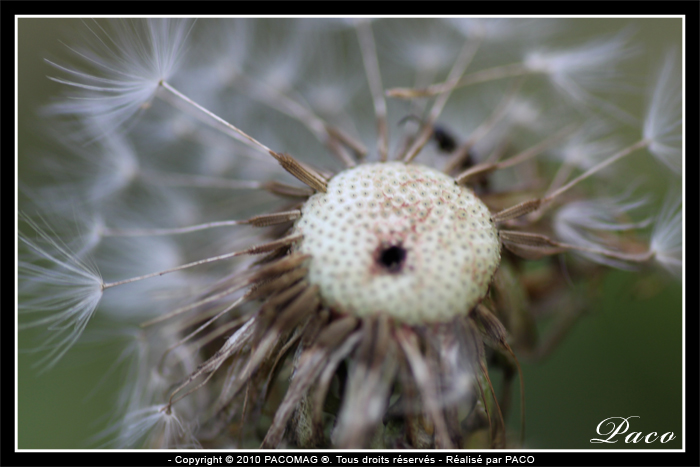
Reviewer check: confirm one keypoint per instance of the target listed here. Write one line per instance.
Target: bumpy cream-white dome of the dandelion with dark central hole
(399, 239)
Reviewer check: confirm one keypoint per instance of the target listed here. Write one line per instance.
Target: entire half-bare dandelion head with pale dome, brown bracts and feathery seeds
(326, 233)
